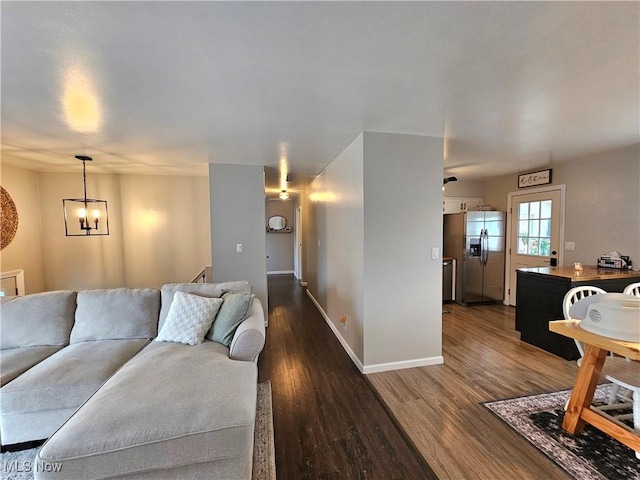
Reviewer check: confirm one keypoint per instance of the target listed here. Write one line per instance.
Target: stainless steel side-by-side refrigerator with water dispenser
(477, 240)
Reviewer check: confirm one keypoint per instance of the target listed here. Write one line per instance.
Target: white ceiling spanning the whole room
(511, 86)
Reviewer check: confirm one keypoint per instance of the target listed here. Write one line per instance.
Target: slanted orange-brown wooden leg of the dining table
(584, 387)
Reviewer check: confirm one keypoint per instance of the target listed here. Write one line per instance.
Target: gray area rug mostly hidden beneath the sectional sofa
(20, 465)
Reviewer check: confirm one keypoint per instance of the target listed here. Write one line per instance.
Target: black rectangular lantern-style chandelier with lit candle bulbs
(91, 215)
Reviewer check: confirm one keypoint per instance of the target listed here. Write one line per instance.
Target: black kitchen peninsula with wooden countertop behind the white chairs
(539, 296)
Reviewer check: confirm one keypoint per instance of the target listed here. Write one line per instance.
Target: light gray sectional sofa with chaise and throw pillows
(87, 371)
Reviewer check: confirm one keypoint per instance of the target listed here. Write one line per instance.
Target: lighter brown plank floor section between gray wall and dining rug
(439, 406)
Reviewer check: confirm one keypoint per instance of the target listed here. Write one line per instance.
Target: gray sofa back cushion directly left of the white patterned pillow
(116, 314)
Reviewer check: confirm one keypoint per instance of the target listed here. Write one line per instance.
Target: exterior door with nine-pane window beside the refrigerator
(535, 231)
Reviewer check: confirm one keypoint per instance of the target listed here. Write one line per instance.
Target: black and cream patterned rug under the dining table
(591, 455)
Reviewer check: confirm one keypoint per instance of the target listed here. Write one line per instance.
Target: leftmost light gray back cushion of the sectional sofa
(37, 319)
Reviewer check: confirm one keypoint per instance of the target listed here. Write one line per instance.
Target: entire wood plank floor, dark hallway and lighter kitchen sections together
(330, 425)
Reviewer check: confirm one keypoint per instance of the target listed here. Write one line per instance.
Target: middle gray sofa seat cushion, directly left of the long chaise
(69, 377)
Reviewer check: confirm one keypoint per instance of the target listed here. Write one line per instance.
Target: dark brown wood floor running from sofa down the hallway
(328, 423)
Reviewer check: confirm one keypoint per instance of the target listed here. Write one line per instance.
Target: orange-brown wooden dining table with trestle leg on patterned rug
(579, 410)
